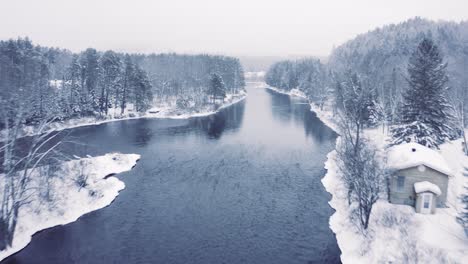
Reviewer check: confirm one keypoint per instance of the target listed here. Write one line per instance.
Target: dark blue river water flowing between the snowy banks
(241, 186)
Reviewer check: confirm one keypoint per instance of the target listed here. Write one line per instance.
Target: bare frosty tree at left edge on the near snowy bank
(18, 166)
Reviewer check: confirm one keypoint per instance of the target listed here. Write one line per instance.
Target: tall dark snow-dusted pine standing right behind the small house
(425, 116)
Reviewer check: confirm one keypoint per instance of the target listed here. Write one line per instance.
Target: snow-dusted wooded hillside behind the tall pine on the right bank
(377, 62)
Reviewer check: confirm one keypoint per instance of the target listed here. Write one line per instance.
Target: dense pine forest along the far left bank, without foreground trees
(45, 83)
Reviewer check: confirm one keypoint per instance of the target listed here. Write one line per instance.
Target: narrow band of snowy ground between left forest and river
(169, 111)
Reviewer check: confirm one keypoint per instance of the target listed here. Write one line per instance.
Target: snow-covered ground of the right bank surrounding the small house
(396, 234)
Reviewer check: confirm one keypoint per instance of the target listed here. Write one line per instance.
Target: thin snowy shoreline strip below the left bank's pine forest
(162, 113)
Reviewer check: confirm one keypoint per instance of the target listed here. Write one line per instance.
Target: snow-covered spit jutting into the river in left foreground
(67, 201)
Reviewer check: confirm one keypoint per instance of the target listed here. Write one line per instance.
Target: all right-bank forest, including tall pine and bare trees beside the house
(408, 80)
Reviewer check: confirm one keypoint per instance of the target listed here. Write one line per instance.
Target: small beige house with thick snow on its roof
(419, 177)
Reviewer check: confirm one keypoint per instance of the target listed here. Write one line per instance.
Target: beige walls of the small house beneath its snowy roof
(412, 175)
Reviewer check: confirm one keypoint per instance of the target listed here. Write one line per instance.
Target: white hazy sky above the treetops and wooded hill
(235, 27)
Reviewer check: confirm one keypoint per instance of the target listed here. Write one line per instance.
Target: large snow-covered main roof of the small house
(412, 154)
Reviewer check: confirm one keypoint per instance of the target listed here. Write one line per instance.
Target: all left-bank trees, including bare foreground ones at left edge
(40, 86)
